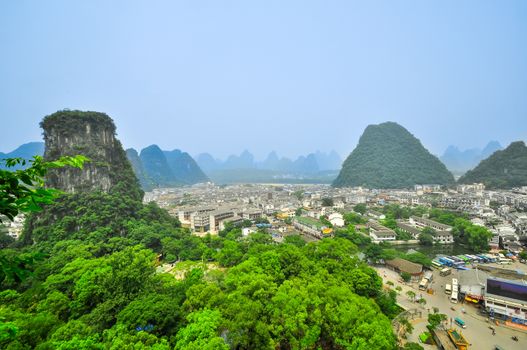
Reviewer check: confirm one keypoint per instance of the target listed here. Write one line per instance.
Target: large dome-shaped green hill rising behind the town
(388, 156)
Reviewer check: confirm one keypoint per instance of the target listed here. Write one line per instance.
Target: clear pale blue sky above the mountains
(291, 76)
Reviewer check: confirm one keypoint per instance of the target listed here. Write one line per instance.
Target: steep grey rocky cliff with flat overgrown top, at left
(92, 134)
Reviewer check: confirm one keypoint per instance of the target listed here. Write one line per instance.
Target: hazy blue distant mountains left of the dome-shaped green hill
(157, 168)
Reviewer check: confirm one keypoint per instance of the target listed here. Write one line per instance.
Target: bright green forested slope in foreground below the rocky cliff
(91, 274)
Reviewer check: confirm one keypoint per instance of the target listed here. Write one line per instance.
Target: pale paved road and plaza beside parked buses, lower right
(477, 332)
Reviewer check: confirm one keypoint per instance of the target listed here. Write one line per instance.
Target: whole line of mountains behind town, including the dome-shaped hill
(387, 156)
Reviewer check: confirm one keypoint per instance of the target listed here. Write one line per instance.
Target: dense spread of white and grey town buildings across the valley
(206, 207)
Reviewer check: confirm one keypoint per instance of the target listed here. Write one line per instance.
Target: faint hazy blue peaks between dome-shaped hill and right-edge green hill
(459, 161)
